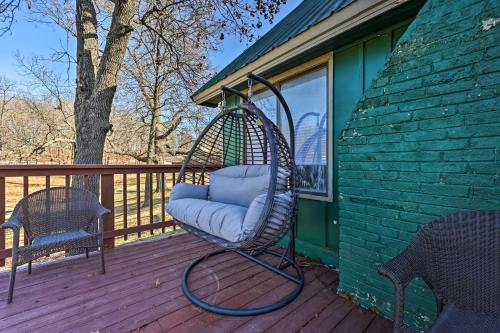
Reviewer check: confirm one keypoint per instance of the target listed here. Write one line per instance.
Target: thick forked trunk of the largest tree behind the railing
(97, 80)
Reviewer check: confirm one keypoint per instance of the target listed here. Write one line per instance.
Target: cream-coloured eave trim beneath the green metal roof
(355, 15)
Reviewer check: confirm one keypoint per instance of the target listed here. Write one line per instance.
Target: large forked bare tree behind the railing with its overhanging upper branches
(103, 29)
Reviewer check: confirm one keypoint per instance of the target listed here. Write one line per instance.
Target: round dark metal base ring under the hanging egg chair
(284, 262)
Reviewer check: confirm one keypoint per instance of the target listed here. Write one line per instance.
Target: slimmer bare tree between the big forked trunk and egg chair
(160, 76)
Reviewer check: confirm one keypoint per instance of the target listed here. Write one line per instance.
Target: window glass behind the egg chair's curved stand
(307, 97)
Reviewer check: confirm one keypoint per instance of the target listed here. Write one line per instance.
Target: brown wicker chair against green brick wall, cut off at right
(458, 256)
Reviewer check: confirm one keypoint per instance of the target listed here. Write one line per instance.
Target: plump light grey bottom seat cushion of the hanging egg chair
(218, 219)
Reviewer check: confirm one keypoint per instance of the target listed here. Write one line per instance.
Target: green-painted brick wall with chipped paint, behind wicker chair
(424, 141)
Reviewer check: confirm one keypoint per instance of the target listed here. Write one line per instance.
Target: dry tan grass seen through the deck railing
(14, 193)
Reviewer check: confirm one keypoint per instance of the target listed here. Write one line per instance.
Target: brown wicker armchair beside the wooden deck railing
(55, 219)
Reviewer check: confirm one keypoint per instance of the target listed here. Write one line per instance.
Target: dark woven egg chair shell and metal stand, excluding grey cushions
(243, 135)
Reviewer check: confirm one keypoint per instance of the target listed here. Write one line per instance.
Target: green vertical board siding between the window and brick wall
(354, 66)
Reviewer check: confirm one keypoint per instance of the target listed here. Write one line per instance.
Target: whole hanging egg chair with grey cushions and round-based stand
(236, 189)
